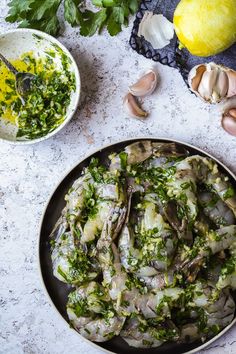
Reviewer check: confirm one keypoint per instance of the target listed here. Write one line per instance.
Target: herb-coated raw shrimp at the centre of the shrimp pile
(156, 238)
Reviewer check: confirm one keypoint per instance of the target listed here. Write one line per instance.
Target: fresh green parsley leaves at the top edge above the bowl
(43, 15)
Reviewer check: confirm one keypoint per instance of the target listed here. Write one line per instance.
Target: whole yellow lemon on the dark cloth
(206, 27)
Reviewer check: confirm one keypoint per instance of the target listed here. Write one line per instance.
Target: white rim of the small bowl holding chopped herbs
(77, 91)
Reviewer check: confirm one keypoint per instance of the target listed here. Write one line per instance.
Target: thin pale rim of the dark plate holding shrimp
(96, 150)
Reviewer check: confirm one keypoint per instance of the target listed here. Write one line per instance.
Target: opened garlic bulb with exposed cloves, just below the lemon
(213, 83)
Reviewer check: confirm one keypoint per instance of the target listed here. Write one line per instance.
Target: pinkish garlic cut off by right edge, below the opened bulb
(229, 117)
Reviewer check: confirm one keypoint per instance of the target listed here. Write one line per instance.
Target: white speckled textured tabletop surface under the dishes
(28, 174)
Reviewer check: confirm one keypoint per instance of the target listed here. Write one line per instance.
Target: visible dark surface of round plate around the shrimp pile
(57, 290)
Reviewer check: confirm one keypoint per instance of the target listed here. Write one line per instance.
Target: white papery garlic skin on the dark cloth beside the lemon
(156, 29)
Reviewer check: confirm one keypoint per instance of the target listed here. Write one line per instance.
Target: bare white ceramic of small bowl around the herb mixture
(18, 41)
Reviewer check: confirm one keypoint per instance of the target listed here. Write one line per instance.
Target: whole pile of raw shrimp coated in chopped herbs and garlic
(147, 243)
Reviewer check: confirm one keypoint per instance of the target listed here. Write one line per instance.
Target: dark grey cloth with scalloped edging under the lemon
(171, 55)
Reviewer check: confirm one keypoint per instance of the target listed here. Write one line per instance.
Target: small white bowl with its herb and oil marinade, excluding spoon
(54, 94)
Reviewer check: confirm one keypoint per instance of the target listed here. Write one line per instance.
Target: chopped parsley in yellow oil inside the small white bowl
(45, 105)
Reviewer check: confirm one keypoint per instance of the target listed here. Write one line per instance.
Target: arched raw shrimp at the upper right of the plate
(183, 186)
